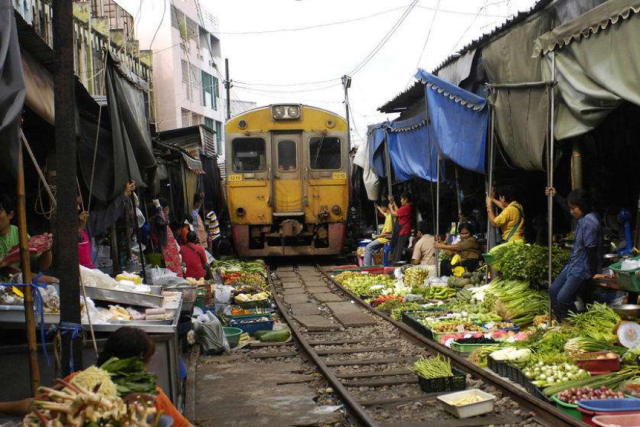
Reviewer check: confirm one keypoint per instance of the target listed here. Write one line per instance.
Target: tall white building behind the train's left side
(182, 37)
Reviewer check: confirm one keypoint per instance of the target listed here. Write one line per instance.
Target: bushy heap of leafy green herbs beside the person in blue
(528, 263)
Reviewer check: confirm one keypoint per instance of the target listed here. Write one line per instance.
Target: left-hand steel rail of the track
(358, 410)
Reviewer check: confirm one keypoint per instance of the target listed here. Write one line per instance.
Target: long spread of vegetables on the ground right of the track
(586, 366)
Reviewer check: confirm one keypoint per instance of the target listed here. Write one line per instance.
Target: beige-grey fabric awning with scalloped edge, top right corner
(597, 56)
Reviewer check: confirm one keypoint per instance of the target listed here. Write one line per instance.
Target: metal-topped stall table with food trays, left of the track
(110, 304)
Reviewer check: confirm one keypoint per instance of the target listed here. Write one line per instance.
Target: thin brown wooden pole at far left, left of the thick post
(25, 265)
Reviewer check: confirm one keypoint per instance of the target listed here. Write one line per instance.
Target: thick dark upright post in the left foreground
(66, 227)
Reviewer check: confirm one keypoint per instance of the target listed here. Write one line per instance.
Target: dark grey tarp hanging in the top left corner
(12, 87)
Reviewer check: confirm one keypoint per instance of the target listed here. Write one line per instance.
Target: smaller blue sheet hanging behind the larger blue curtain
(413, 152)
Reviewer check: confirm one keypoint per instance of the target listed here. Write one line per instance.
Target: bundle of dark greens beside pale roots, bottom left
(129, 376)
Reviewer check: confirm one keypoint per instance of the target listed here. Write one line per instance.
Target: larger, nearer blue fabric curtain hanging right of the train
(458, 121)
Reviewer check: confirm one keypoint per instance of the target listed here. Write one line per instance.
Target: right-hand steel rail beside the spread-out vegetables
(542, 409)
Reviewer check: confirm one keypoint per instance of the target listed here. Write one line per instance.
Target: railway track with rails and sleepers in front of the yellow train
(365, 357)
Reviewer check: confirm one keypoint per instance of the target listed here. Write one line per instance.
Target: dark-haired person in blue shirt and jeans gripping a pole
(585, 260)
